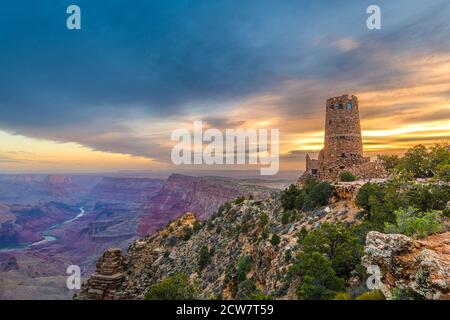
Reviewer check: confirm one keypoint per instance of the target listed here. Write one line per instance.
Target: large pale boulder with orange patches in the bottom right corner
(418, 266)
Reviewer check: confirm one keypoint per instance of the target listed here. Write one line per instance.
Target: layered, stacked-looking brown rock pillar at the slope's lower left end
(106, 282)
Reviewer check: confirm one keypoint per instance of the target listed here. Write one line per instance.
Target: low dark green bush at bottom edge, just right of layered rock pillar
(175, 287)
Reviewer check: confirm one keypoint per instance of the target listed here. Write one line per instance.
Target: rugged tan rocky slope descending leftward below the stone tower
(231, 234)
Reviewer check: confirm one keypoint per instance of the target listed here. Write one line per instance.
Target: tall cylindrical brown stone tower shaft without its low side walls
(343, 146)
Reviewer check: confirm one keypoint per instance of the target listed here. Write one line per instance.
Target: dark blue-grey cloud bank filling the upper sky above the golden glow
(164, 59)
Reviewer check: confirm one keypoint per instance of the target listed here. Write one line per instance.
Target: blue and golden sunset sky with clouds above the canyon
(108, 96)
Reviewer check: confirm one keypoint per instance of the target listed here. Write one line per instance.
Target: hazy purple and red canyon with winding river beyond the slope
(50, 222)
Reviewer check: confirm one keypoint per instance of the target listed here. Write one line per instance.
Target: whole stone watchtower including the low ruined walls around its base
(343, 147)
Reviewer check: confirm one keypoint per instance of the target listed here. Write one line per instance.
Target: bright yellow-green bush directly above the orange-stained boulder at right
(415, 224)
